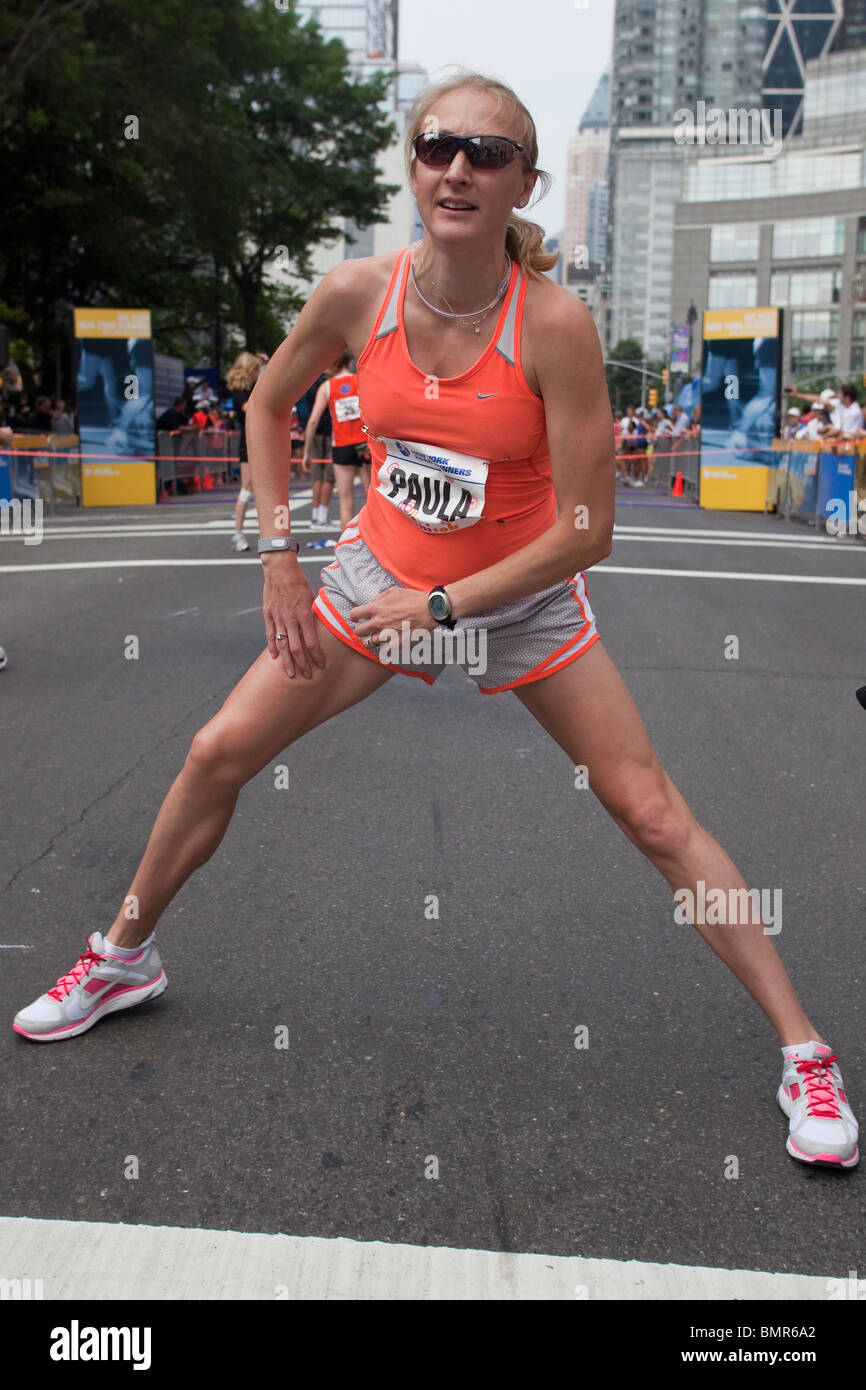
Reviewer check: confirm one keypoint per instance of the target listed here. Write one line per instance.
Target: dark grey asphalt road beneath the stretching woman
(451, 1039)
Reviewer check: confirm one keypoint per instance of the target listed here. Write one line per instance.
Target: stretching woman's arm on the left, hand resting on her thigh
(318, 338)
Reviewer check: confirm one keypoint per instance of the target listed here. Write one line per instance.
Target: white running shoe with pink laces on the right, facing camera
(812, 1095)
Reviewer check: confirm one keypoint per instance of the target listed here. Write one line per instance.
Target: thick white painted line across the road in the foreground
(99, 1261)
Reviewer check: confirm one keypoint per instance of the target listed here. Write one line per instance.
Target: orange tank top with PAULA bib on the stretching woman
(461, 465)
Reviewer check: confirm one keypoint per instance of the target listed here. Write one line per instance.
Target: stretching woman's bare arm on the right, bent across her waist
(580, 437)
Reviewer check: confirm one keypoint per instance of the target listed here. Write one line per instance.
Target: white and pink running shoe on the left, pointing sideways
(98, 983)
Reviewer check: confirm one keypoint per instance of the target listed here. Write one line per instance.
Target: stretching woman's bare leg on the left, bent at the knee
(265, 714)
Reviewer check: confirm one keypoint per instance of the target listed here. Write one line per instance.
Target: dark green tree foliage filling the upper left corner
(254, 138)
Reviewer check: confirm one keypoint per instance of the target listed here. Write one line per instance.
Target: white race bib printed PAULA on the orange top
(439, 489)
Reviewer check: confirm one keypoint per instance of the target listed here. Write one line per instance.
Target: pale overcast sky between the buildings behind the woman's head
(551, 52)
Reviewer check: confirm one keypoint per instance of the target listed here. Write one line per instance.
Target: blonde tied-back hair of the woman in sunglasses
(525, 240)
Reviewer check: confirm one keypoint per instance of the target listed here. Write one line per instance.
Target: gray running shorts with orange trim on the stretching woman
(507, 647)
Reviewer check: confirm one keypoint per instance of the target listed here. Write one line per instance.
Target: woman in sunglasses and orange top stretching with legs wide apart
(483, 394)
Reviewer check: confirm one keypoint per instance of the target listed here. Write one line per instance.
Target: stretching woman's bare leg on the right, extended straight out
(589, 711)
